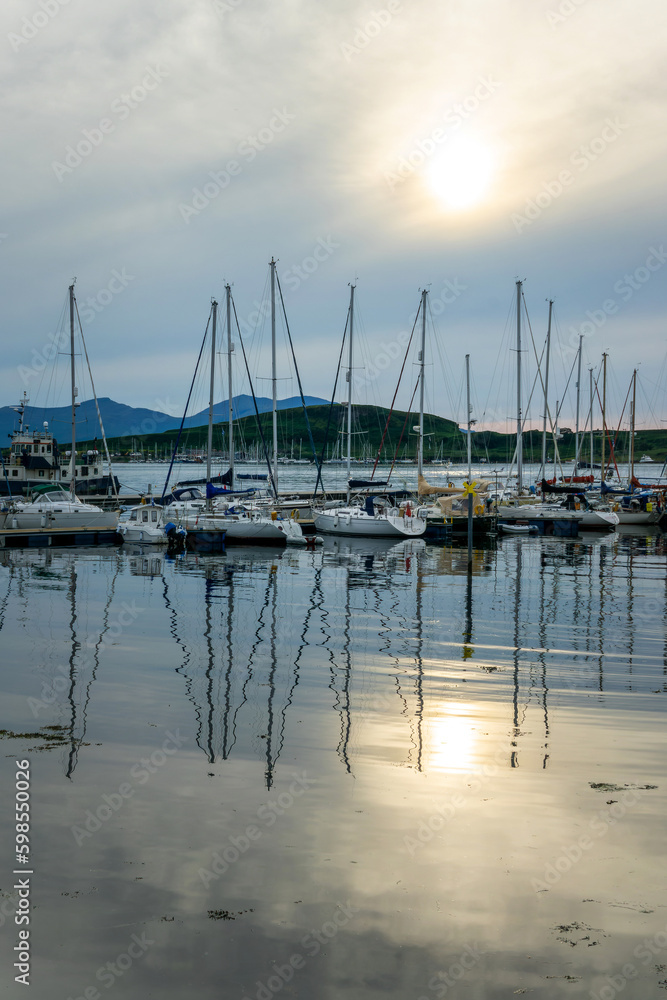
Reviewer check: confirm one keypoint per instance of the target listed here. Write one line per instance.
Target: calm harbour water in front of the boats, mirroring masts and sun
(350, 773)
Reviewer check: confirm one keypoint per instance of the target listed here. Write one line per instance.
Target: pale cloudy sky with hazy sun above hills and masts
(156, 150)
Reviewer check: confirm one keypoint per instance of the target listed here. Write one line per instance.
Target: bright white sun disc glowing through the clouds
(461, 174)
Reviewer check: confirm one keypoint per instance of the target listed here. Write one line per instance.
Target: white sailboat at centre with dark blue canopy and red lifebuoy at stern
(377, 518)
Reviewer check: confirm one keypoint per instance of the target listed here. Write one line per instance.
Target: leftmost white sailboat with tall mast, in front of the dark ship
(51, 504)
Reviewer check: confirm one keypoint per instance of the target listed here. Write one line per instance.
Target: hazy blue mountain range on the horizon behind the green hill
(130, 421)
